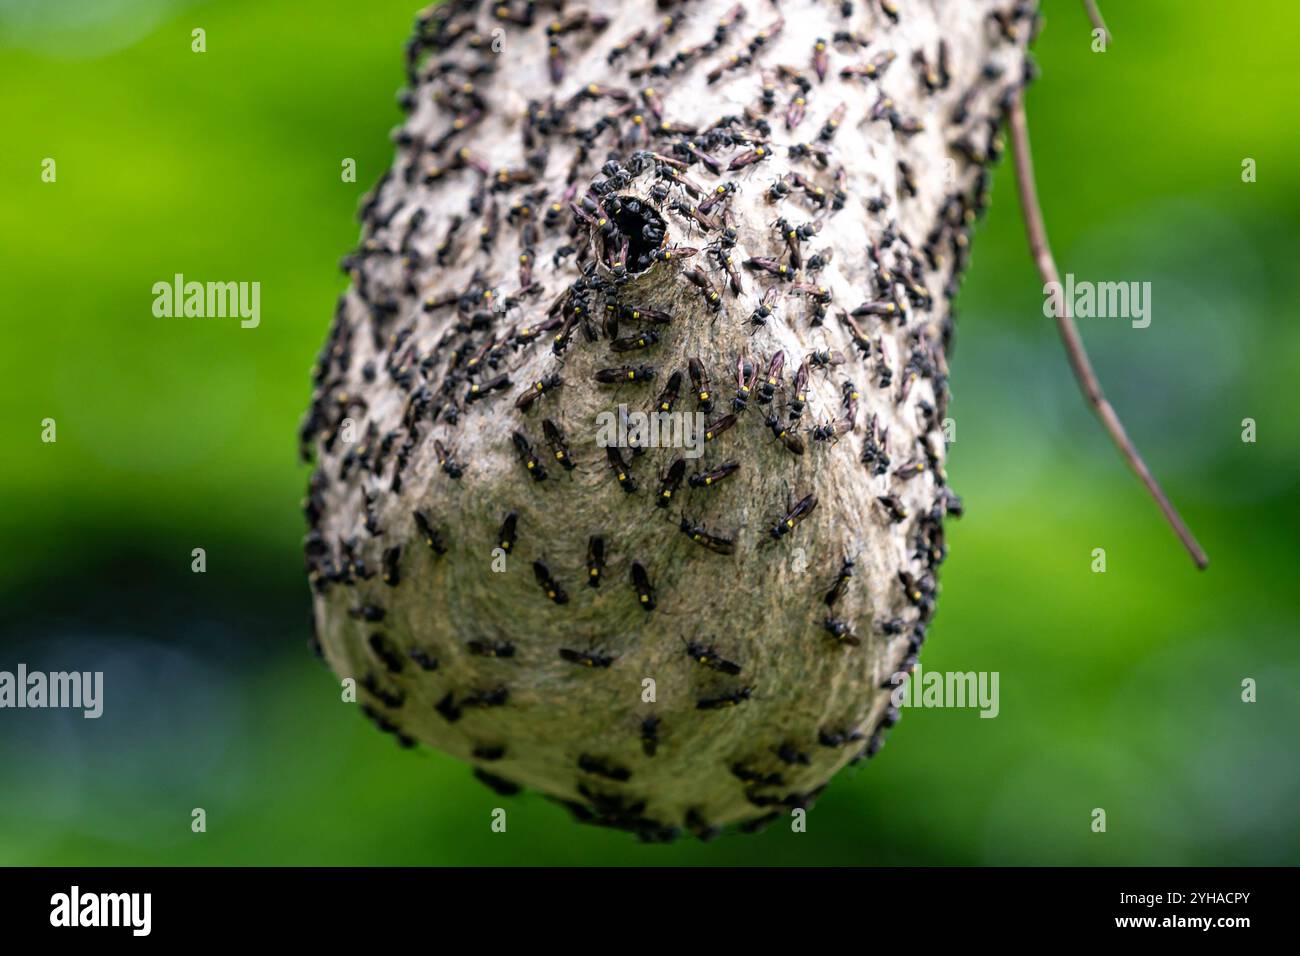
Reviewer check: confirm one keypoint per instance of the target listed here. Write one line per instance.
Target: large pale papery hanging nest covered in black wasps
(751, 217)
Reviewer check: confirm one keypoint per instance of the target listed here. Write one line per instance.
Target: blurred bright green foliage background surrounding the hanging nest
(1119, 690)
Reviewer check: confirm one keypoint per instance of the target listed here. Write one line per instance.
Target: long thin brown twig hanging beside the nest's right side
(1042, 252)
